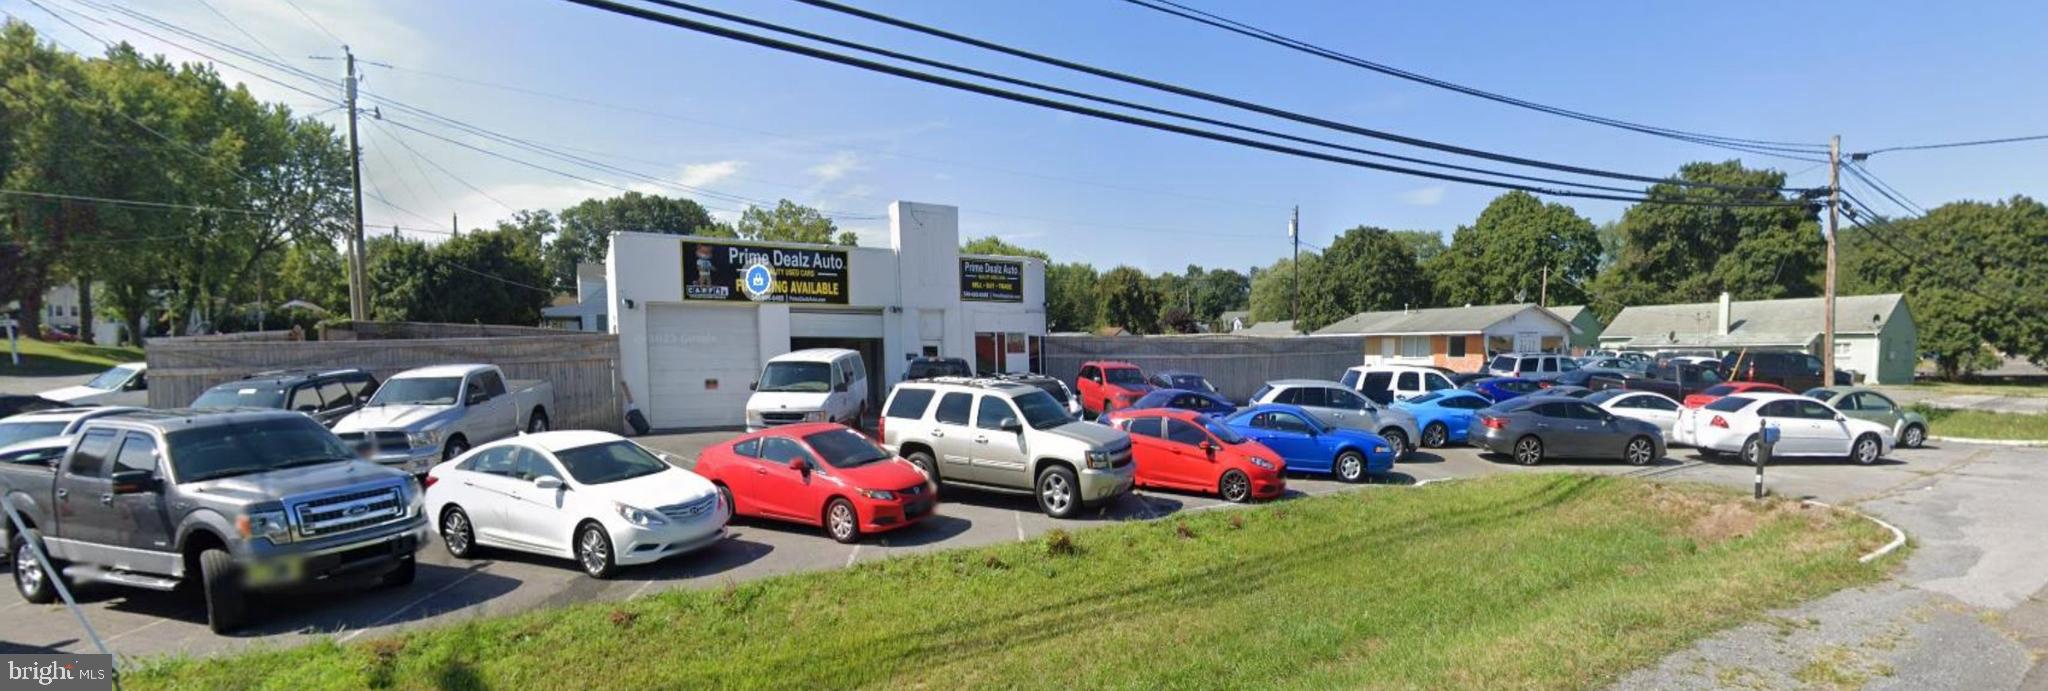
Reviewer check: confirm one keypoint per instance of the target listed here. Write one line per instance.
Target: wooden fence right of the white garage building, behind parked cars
(1238, 366)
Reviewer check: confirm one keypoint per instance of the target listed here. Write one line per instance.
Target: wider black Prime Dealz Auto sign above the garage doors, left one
(757, 274)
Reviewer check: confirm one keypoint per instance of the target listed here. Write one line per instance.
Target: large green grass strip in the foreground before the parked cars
(1523, 581)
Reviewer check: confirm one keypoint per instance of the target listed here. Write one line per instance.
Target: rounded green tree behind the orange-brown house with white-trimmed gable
(1504, 255)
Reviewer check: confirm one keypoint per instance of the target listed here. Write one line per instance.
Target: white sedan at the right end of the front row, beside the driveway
(1805, 430)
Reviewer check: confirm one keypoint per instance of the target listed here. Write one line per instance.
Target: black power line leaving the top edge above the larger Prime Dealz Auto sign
(1236, 104)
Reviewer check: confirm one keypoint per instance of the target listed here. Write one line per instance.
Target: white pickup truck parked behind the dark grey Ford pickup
(423, 417)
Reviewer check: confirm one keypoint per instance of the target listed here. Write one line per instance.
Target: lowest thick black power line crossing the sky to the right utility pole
(1121, 118)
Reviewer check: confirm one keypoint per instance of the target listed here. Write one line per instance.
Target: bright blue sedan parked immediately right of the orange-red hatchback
(1310, 446)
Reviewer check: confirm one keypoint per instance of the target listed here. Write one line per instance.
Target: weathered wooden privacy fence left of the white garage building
(581, 366)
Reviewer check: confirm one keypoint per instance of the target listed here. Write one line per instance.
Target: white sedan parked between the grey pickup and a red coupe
(591, 497)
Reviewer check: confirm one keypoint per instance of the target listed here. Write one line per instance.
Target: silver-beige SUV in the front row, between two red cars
(1009, 438)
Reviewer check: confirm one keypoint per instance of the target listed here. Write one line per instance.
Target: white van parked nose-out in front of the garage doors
(810, 387)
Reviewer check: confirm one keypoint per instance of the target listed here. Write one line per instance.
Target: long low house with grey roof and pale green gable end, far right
(1875, 335)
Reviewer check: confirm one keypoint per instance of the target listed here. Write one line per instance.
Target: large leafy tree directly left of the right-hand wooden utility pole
(1695, 253)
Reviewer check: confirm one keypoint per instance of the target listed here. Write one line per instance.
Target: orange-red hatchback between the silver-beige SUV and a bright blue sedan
(1185, 450)
